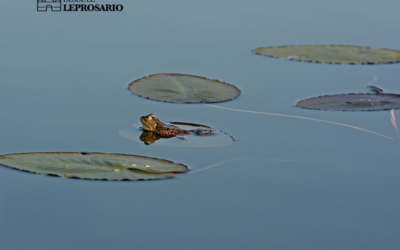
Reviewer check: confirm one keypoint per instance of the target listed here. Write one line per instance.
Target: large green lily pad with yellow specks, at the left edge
(94, 165)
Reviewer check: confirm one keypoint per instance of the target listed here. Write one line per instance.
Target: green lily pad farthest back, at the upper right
(341, 54)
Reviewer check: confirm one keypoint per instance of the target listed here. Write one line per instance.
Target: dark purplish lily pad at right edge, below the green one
(353, 102)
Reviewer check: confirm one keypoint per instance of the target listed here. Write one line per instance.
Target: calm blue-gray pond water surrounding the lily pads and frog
(63, 87)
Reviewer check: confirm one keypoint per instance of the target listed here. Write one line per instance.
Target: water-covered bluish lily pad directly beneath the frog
(218, 139)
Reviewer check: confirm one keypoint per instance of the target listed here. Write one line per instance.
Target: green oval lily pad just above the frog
(180, 88)
